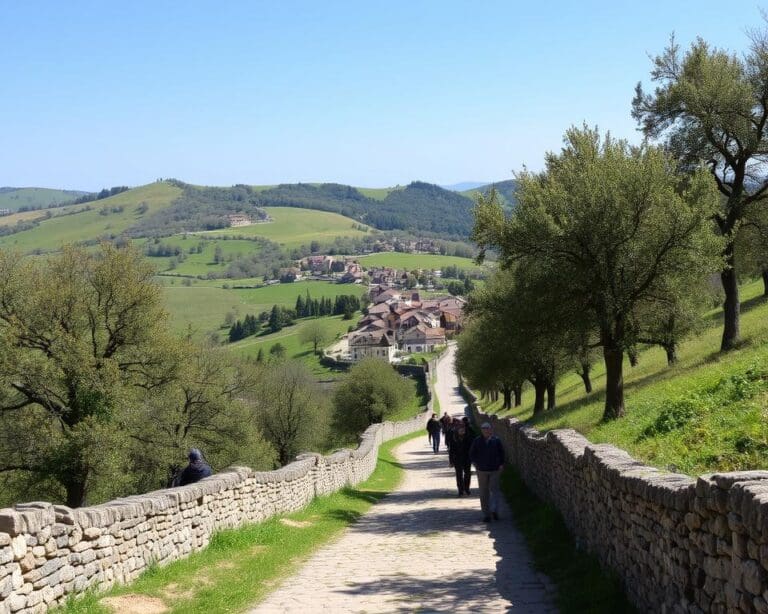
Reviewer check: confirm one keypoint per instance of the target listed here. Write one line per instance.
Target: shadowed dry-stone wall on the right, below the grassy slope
(679, 544)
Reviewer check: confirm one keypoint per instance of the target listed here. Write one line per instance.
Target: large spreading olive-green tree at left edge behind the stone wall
(82, 338)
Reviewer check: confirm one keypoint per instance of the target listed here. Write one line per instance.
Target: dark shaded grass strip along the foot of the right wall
(582, 585)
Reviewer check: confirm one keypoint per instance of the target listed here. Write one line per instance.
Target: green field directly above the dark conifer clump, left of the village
(204, 305)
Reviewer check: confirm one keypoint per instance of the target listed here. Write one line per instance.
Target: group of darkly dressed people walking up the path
(465, 448)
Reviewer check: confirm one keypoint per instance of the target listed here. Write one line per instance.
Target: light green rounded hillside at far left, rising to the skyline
(58, 231)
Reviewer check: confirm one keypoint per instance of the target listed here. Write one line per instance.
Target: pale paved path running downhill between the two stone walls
(421, 548)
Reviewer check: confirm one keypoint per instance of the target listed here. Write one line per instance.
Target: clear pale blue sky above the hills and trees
(370, 93)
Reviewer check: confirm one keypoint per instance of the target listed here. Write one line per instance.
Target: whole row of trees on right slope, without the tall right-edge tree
(609, 247)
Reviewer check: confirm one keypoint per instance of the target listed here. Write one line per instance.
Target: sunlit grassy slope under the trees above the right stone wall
(709, 412)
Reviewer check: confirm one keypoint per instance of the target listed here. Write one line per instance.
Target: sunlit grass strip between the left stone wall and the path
(242, 566)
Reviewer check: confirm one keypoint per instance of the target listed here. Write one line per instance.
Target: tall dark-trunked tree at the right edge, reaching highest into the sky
(711, 107)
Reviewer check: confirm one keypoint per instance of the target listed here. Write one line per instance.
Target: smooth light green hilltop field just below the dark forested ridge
(294, 227)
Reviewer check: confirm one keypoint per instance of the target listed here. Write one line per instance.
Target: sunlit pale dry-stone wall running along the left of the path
(48, 552)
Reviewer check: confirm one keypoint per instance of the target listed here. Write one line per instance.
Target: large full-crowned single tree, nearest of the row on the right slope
(617, 224)
